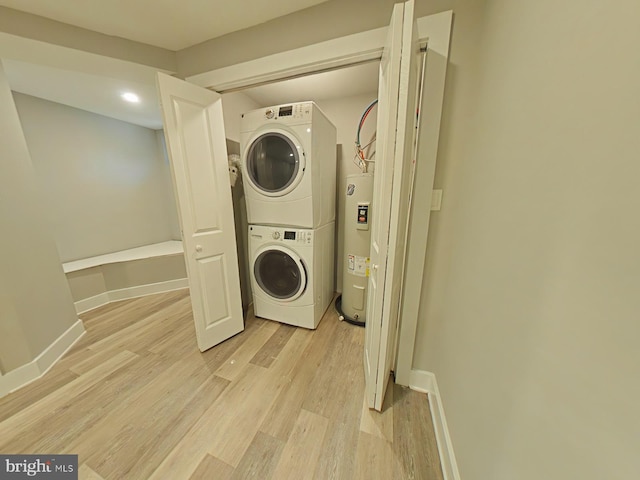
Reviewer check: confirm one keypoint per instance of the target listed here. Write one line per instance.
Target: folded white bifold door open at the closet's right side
(397, 93)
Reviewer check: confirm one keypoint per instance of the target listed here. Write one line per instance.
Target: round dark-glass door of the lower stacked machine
(280, 273)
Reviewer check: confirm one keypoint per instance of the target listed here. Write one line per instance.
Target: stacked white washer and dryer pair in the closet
(289, 165)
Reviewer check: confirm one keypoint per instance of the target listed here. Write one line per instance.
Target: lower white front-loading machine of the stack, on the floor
(291, 273)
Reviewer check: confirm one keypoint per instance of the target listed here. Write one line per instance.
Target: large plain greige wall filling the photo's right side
(530, 310)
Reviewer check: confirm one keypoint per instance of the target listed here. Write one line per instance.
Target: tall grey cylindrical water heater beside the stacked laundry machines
(357, 238)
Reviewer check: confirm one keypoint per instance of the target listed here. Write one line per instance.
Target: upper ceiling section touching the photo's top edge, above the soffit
(169, 24)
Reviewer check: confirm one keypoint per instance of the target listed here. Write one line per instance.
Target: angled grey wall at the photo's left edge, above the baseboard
(35, 301)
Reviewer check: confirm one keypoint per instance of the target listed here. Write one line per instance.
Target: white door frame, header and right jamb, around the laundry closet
(435, 31)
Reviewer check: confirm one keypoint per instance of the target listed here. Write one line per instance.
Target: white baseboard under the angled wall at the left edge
(40, 365)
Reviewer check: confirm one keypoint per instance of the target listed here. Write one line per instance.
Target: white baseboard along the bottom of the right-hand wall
(425, 382)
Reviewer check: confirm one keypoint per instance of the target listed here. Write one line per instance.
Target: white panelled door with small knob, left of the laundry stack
(194, 130)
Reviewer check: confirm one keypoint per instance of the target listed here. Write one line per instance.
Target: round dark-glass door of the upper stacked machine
(274, 163)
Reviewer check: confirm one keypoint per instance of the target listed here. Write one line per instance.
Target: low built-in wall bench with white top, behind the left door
(136, 272)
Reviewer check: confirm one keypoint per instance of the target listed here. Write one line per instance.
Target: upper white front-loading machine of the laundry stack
(289, 165)
